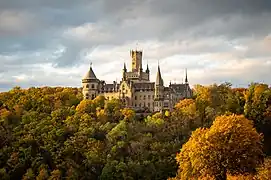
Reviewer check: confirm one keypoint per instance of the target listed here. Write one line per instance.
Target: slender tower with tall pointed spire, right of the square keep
(159, 92)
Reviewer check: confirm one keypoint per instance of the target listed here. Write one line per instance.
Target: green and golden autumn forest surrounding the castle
(52, 133)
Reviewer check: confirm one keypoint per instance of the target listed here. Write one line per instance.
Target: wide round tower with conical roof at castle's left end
(90, 84)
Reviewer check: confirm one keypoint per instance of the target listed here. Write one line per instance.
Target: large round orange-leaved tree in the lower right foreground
(231, 145)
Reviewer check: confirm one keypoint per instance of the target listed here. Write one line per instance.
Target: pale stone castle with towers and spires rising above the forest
(136, 90)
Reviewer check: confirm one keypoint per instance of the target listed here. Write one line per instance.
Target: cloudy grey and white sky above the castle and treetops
(51, 43)
